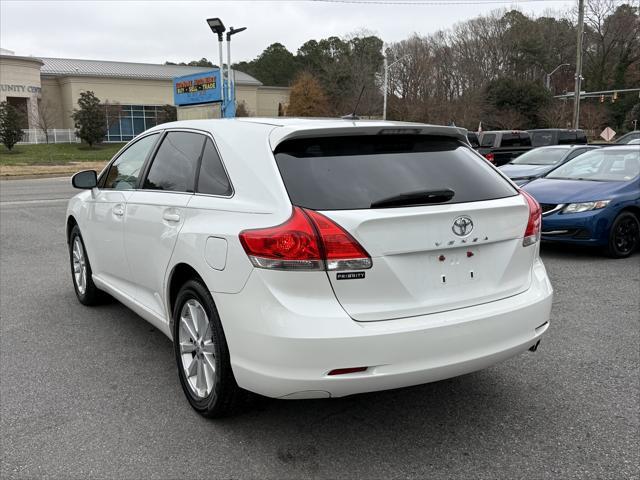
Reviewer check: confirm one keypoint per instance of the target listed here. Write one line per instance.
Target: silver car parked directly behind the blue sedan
(538, 162)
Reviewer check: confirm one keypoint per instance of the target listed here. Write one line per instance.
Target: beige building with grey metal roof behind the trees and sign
(47, 89)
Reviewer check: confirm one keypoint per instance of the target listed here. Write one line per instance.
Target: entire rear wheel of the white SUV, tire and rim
(202, 354)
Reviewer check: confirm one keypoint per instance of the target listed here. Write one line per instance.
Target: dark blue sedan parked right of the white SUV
(593, 200)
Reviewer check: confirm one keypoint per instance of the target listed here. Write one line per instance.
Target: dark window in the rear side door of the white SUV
(174, 166)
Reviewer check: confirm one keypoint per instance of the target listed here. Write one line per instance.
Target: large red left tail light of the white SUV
(307, 241)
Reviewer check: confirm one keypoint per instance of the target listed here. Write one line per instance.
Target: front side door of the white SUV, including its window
(105, 221)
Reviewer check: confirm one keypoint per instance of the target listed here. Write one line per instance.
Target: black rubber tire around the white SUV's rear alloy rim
(225, 397)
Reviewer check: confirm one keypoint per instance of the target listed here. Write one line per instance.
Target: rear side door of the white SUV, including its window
(156, 212)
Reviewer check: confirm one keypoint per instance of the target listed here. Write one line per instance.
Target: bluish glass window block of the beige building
(126, 121)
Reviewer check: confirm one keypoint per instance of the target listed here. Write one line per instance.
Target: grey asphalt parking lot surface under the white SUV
(94, 393)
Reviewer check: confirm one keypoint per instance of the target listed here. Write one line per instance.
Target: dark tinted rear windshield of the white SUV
(354, 172)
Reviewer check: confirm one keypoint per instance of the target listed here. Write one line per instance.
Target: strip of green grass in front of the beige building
(57, 154)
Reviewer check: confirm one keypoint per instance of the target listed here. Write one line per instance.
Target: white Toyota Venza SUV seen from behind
(312, 258)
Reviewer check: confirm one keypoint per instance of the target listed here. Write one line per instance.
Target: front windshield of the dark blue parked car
(619, 165)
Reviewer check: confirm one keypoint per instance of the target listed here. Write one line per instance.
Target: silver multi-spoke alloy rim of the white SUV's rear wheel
(197, 351)
